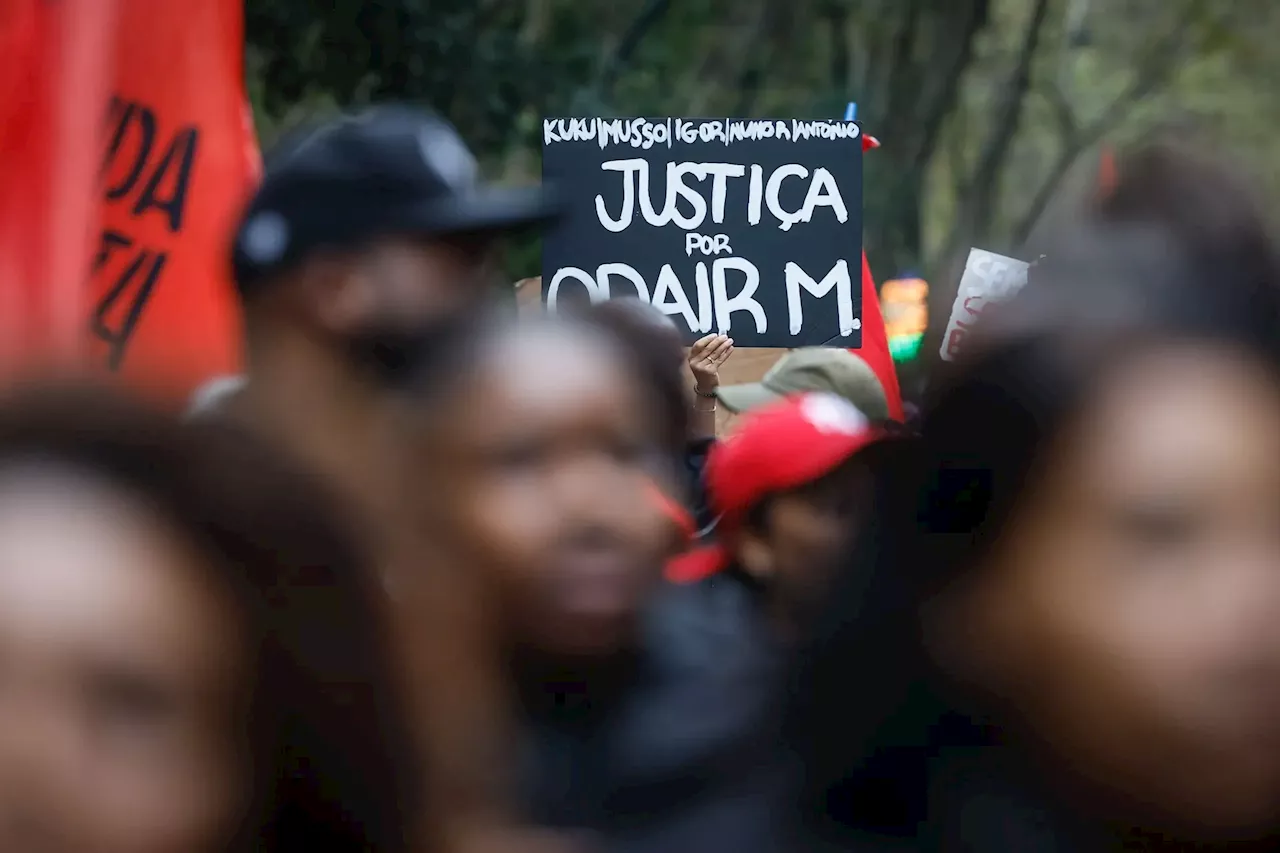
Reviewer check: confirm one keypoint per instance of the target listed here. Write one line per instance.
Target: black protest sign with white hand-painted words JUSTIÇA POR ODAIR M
(751, 229)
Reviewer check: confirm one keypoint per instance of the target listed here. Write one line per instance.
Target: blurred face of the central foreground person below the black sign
(542, 467)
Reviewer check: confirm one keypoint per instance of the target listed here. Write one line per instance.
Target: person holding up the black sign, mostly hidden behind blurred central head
(688, 414)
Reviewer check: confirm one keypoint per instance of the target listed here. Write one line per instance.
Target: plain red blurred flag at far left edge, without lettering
(54, 77)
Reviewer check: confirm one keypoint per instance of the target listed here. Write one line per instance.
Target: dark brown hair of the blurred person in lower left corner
(331, 750)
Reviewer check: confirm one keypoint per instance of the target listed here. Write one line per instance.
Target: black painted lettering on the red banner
(147, 175)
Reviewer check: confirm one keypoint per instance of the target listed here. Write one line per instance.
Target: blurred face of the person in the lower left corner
(120, 679)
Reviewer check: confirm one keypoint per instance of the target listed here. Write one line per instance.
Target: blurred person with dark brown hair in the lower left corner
(191, 655)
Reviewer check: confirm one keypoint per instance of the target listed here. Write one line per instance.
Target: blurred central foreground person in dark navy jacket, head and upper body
(641, 710)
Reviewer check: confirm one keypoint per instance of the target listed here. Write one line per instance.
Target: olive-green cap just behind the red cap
(833, 371)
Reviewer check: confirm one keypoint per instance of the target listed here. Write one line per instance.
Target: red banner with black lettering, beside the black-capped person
(181, 158)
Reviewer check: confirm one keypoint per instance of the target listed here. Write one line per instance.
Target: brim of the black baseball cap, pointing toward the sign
(488, 209)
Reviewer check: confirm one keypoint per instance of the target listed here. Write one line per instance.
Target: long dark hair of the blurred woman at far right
(868, 709)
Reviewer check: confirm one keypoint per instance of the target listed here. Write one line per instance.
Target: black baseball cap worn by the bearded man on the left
(382, 172)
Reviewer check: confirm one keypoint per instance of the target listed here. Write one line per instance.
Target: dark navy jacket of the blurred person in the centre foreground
(682, 756)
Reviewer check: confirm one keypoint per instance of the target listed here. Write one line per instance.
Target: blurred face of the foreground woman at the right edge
(1132, 610)
